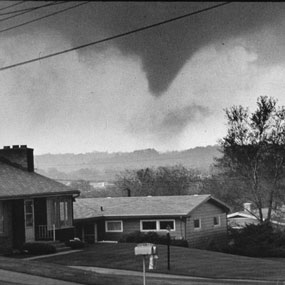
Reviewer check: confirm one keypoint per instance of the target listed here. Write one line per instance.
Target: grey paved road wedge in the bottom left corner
(11, 277)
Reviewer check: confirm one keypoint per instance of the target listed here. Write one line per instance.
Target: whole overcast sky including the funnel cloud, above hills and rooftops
(163, 88)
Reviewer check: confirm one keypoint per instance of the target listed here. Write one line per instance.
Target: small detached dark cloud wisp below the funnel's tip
(177, 120)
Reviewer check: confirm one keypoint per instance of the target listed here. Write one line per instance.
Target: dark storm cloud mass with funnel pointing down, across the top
(165, 49)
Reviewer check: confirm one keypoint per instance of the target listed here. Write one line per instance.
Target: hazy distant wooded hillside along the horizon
(98, 166)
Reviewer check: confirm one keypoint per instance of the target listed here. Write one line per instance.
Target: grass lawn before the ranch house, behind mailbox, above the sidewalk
(184, 261)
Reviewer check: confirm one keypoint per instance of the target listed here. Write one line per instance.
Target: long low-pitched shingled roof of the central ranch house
(141, 206)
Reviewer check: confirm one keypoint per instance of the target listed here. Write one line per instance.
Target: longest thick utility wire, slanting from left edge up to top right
(114, 37)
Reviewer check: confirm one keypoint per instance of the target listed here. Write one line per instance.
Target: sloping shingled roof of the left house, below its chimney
(16, 182)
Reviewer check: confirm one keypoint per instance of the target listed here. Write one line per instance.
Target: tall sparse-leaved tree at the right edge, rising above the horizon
(254, 152)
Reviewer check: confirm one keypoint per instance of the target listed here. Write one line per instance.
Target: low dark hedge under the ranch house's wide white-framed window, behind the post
(151, 237)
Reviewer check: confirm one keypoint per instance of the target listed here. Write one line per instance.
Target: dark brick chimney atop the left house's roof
(20, 155)
